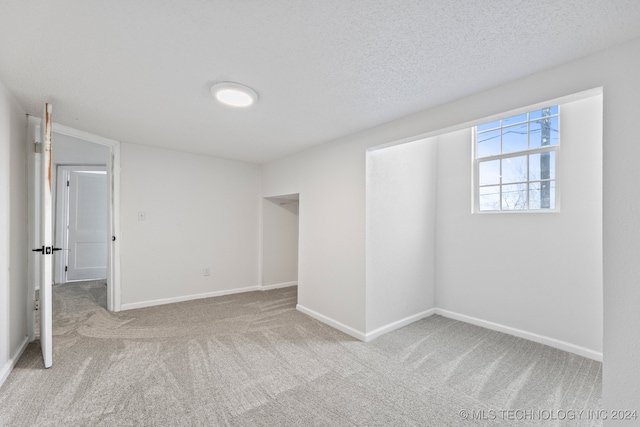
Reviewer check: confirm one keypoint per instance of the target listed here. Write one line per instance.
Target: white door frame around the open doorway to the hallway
(113, 178)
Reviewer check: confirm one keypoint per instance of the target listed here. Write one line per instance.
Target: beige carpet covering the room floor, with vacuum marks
(252, 359)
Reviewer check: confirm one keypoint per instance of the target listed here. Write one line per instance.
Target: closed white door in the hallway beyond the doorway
(87, 225)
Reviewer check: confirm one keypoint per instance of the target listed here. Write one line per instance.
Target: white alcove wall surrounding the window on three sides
(537, 272)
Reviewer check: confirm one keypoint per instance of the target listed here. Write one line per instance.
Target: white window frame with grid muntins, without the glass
(477, 160)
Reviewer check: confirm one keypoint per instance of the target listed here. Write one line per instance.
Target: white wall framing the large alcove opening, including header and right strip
(340, 200)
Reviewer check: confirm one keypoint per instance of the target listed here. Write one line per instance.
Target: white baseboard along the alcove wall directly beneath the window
(551, 342)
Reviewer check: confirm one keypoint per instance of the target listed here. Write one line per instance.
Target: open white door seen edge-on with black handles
(46, 248)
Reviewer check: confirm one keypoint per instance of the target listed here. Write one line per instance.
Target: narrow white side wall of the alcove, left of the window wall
(401, 210)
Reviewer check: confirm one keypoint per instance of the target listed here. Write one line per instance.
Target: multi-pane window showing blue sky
(515, 162)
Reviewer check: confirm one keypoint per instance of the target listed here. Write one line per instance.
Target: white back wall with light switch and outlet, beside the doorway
(200, 212)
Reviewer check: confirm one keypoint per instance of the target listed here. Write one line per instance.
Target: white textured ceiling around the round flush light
(139, 71)
